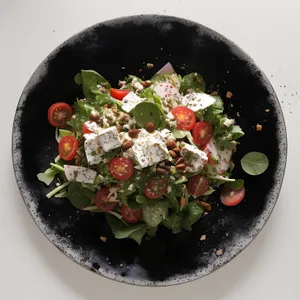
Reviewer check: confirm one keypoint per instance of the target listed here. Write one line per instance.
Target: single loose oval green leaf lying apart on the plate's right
(255, 163)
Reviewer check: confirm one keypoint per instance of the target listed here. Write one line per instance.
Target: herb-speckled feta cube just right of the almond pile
(194, 158)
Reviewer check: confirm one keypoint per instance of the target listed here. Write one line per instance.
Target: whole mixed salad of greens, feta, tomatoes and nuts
(146, 154)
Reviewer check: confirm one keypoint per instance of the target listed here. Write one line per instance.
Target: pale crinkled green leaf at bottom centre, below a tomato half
(155, 211)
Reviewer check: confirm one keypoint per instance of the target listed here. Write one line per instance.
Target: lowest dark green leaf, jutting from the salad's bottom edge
(121, 230)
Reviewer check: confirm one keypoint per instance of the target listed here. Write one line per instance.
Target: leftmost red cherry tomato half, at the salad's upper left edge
(59, 113)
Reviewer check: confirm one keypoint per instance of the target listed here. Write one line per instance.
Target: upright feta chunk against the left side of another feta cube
(93, 149)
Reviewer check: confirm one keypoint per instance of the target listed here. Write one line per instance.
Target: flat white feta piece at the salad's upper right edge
(197, 101)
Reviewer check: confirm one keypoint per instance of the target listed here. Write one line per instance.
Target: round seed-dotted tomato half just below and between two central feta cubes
(121, 168)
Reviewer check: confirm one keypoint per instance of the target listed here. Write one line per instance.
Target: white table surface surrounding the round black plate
(31, 268)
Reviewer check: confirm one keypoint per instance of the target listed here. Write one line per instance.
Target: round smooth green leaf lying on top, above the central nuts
(146, 112)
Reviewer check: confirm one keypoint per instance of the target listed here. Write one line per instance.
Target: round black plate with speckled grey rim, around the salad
(117, 48)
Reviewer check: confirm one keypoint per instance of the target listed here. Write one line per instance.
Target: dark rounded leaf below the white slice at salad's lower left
(79, 196)
